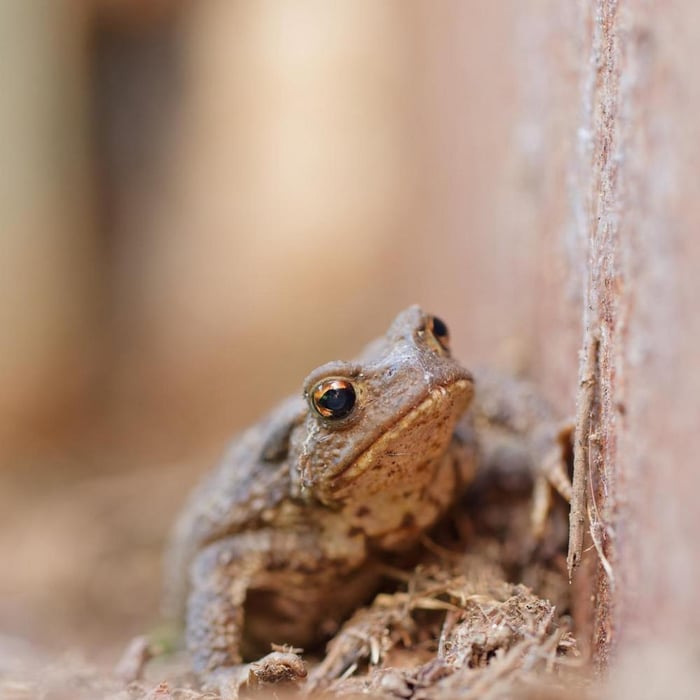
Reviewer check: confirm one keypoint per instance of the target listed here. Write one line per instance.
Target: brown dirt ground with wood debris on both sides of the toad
(486, 613)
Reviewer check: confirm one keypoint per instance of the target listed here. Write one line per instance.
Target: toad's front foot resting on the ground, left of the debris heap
(276, 668)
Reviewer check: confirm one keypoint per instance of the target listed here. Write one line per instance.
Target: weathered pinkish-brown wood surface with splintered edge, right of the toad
(617, 83)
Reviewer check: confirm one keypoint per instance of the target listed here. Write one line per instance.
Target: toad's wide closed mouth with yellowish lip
(458, 392)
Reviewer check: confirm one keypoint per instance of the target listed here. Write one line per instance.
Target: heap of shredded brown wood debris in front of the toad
(458, 629)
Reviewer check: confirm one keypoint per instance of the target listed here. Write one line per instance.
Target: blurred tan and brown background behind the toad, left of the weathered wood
(200, 202)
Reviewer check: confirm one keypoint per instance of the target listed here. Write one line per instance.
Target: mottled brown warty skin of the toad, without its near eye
(282, 541)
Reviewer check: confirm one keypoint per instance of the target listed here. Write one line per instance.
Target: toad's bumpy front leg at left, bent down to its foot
(221, 577)
